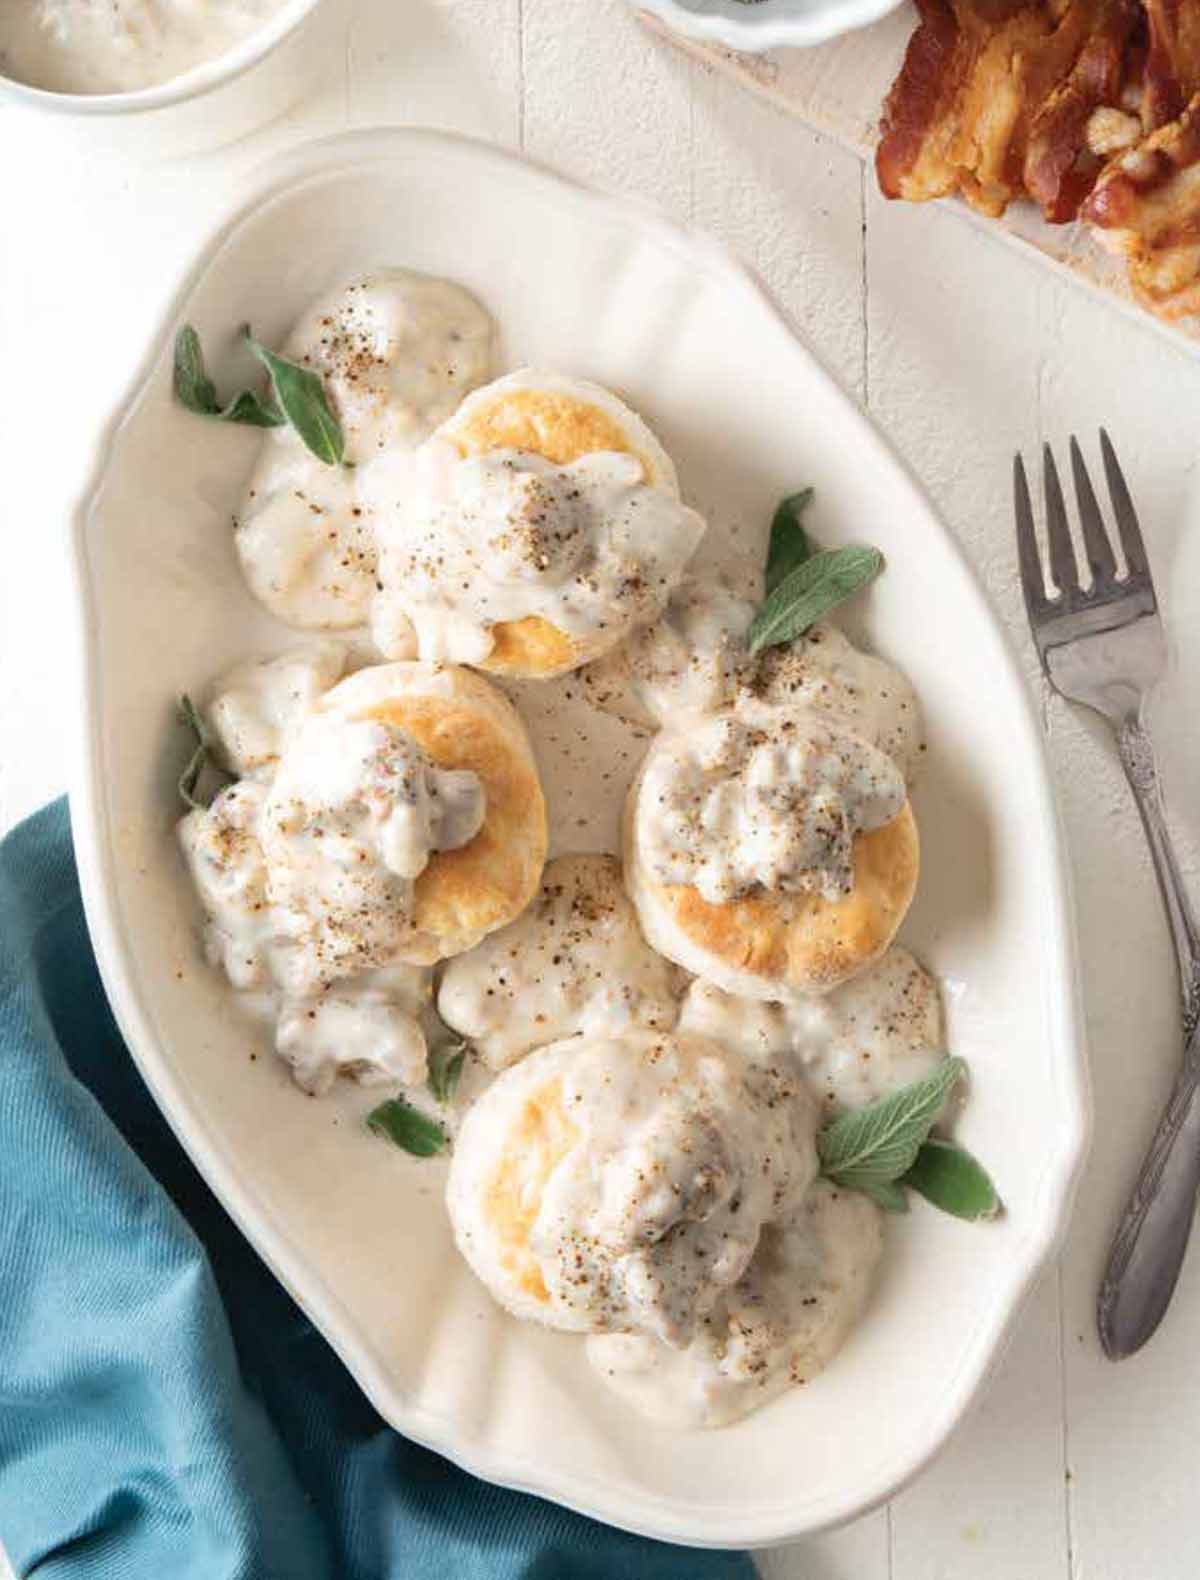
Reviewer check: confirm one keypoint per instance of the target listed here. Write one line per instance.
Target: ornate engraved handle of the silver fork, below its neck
(1152, 1238)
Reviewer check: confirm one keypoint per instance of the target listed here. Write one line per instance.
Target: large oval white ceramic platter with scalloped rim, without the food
(355, 1228)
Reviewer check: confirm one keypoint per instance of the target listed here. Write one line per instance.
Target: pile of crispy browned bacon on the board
(1008, 99)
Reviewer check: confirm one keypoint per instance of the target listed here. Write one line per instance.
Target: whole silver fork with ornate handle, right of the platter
(1103, 645)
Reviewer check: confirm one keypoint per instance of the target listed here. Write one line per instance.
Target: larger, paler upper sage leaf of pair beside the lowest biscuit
(880, 1143)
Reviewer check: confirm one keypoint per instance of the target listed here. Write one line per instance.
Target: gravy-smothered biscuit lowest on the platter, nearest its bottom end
(621, 1184)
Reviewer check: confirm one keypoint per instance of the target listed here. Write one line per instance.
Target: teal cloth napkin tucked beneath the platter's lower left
(167, 1412)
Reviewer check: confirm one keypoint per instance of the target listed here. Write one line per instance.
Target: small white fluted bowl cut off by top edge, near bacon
(755, 26)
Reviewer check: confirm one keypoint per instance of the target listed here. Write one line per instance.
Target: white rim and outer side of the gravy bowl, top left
(165, 118)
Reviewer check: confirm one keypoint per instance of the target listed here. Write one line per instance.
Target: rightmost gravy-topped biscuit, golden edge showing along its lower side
(769, 851)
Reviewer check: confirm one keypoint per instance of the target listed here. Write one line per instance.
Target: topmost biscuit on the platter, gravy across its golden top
(534, 532)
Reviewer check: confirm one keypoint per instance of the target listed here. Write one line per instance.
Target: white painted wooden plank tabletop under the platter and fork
(964, 353)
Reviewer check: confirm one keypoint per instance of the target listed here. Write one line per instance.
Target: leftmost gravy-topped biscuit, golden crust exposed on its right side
(443, 773)
